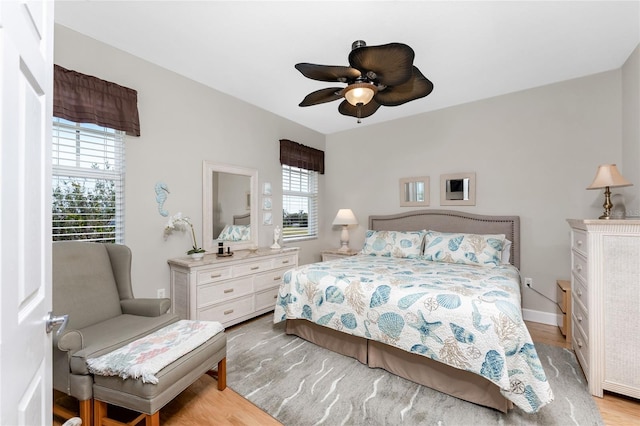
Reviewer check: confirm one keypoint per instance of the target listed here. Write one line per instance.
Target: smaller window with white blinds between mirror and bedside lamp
(299, 203)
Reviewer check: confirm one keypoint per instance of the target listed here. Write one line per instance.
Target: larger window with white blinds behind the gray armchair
(88, 182)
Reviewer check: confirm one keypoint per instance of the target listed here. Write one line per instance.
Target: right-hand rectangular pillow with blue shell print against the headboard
(470, 249)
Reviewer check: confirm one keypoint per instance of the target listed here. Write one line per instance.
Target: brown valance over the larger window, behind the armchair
(85, 99)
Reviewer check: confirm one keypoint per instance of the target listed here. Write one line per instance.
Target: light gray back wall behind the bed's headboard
(533, 152)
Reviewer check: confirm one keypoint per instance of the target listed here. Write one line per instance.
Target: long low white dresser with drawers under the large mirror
(229, 289)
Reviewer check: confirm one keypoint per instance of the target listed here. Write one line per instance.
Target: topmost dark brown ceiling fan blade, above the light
(390, 62)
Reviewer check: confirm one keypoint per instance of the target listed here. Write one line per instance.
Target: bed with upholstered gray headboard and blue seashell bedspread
(451, 324)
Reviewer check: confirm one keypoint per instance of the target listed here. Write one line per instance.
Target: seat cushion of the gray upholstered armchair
(112, 334)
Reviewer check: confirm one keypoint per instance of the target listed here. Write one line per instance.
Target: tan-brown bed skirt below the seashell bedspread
(417, 368)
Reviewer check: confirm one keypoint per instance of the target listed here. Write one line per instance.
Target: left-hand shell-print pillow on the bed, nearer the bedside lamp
(393, 243)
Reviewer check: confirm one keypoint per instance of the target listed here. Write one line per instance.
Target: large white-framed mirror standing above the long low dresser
(229, 206)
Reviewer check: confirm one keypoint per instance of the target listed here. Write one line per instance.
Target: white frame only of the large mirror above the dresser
(208, 243)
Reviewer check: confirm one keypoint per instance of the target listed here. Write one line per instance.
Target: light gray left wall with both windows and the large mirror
(182, 123)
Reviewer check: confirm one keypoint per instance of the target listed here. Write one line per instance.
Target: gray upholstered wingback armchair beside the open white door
(92, 284)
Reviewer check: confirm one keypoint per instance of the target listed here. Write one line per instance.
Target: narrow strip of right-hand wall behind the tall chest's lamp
(631, 131)
